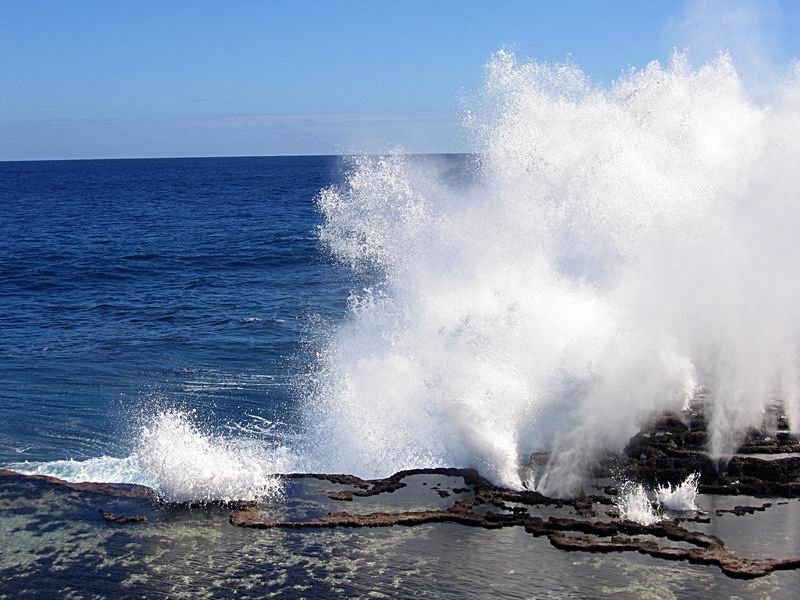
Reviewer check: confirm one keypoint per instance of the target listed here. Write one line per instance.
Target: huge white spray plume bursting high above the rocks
(621, 248)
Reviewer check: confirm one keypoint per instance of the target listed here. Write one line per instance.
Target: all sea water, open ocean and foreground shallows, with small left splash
(197, 292)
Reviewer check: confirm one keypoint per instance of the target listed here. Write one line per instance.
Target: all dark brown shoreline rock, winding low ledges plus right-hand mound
(668, 451)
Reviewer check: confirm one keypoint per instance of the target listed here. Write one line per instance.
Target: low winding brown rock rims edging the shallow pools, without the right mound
(491, 507)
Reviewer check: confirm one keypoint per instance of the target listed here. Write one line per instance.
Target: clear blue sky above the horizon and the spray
(108, 78)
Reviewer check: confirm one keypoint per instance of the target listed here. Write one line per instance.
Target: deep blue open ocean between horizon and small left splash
(182, 282)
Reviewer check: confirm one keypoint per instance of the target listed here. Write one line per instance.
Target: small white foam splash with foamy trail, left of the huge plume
(182, 463)
